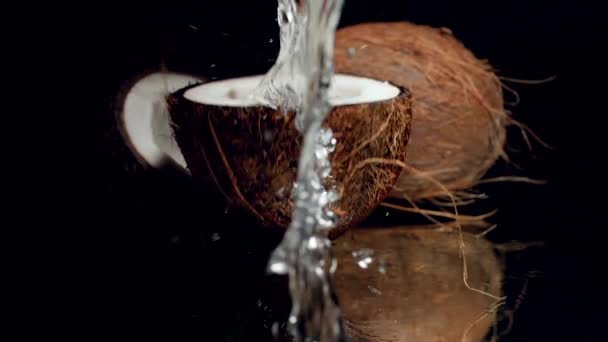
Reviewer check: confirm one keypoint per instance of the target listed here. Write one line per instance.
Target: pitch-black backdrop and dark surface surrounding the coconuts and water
(115, 252)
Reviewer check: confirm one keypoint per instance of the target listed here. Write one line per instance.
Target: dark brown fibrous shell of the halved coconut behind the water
(252, 154)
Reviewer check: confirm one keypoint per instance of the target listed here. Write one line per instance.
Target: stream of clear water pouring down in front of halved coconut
(300, 81)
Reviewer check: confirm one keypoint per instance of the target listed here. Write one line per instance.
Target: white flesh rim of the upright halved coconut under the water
(344, 90)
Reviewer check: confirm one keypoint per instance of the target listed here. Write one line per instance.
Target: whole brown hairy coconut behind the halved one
(458, 129)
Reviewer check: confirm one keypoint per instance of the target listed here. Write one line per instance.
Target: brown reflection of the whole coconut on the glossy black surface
(413, 289)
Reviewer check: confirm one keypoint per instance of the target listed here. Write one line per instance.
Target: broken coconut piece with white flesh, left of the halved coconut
(144, 119)
